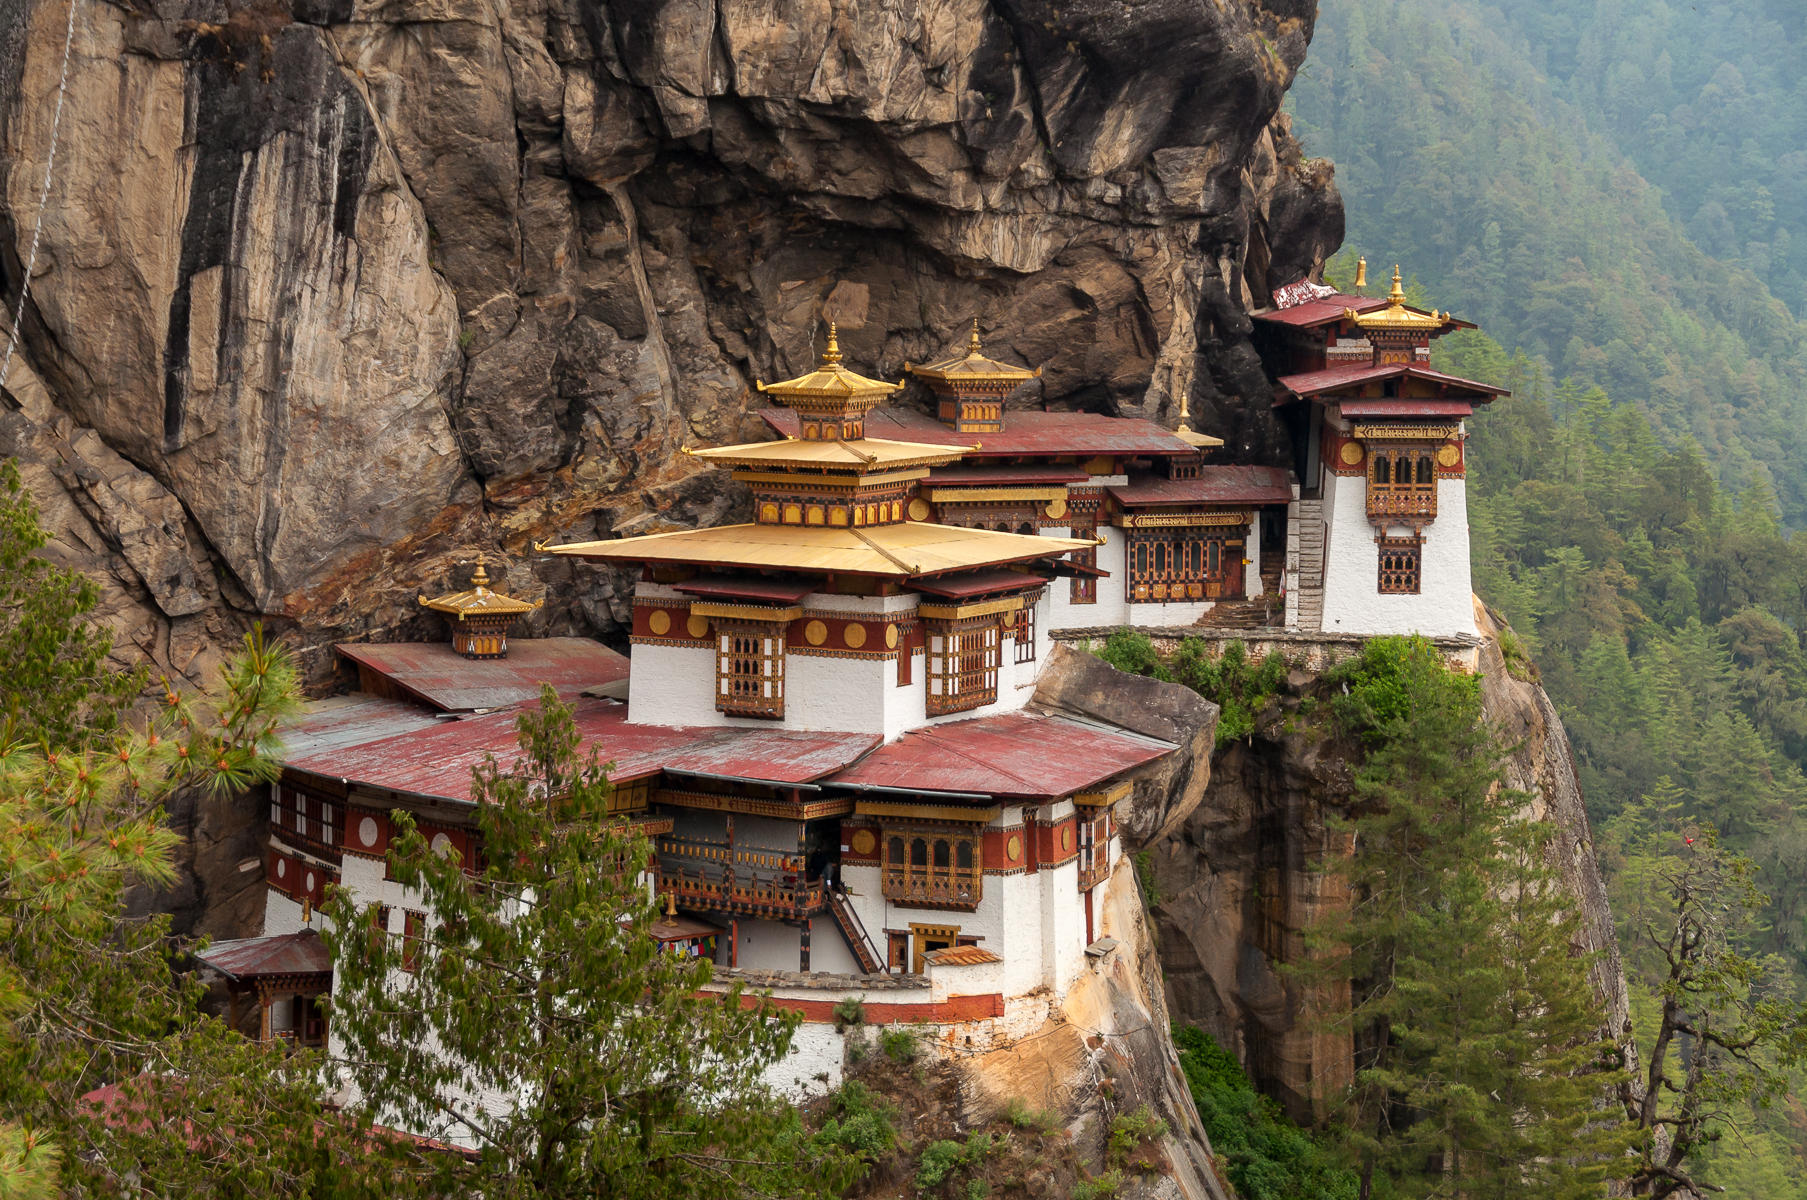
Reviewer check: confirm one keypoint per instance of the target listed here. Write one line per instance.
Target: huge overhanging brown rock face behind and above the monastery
(332, 294)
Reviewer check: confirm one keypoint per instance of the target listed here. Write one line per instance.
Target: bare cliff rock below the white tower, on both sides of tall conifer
(1246, 877)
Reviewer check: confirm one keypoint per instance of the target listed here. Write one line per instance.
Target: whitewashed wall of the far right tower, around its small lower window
(1353, 567)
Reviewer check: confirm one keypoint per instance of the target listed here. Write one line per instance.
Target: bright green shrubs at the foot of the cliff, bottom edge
(1262, 1154)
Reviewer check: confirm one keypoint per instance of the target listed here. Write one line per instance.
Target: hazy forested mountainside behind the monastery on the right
(1616, 192)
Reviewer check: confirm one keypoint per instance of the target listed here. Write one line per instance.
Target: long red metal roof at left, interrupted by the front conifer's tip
(436, 762)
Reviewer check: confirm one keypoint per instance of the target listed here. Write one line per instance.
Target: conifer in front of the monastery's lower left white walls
(539, 979)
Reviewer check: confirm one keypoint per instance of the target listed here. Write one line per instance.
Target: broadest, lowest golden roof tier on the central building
(892, 550)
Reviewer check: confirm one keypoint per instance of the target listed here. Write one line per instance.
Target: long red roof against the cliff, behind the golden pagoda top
(1027, 433)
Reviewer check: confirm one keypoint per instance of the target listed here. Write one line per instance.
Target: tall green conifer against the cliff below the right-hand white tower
(1481, 1062)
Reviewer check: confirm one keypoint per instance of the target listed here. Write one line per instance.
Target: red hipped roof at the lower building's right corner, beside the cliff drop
(1015, 755)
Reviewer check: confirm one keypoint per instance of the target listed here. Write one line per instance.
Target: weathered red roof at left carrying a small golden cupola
(444, 679)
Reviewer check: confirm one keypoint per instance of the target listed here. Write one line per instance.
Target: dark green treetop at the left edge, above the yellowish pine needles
(59, 688)
